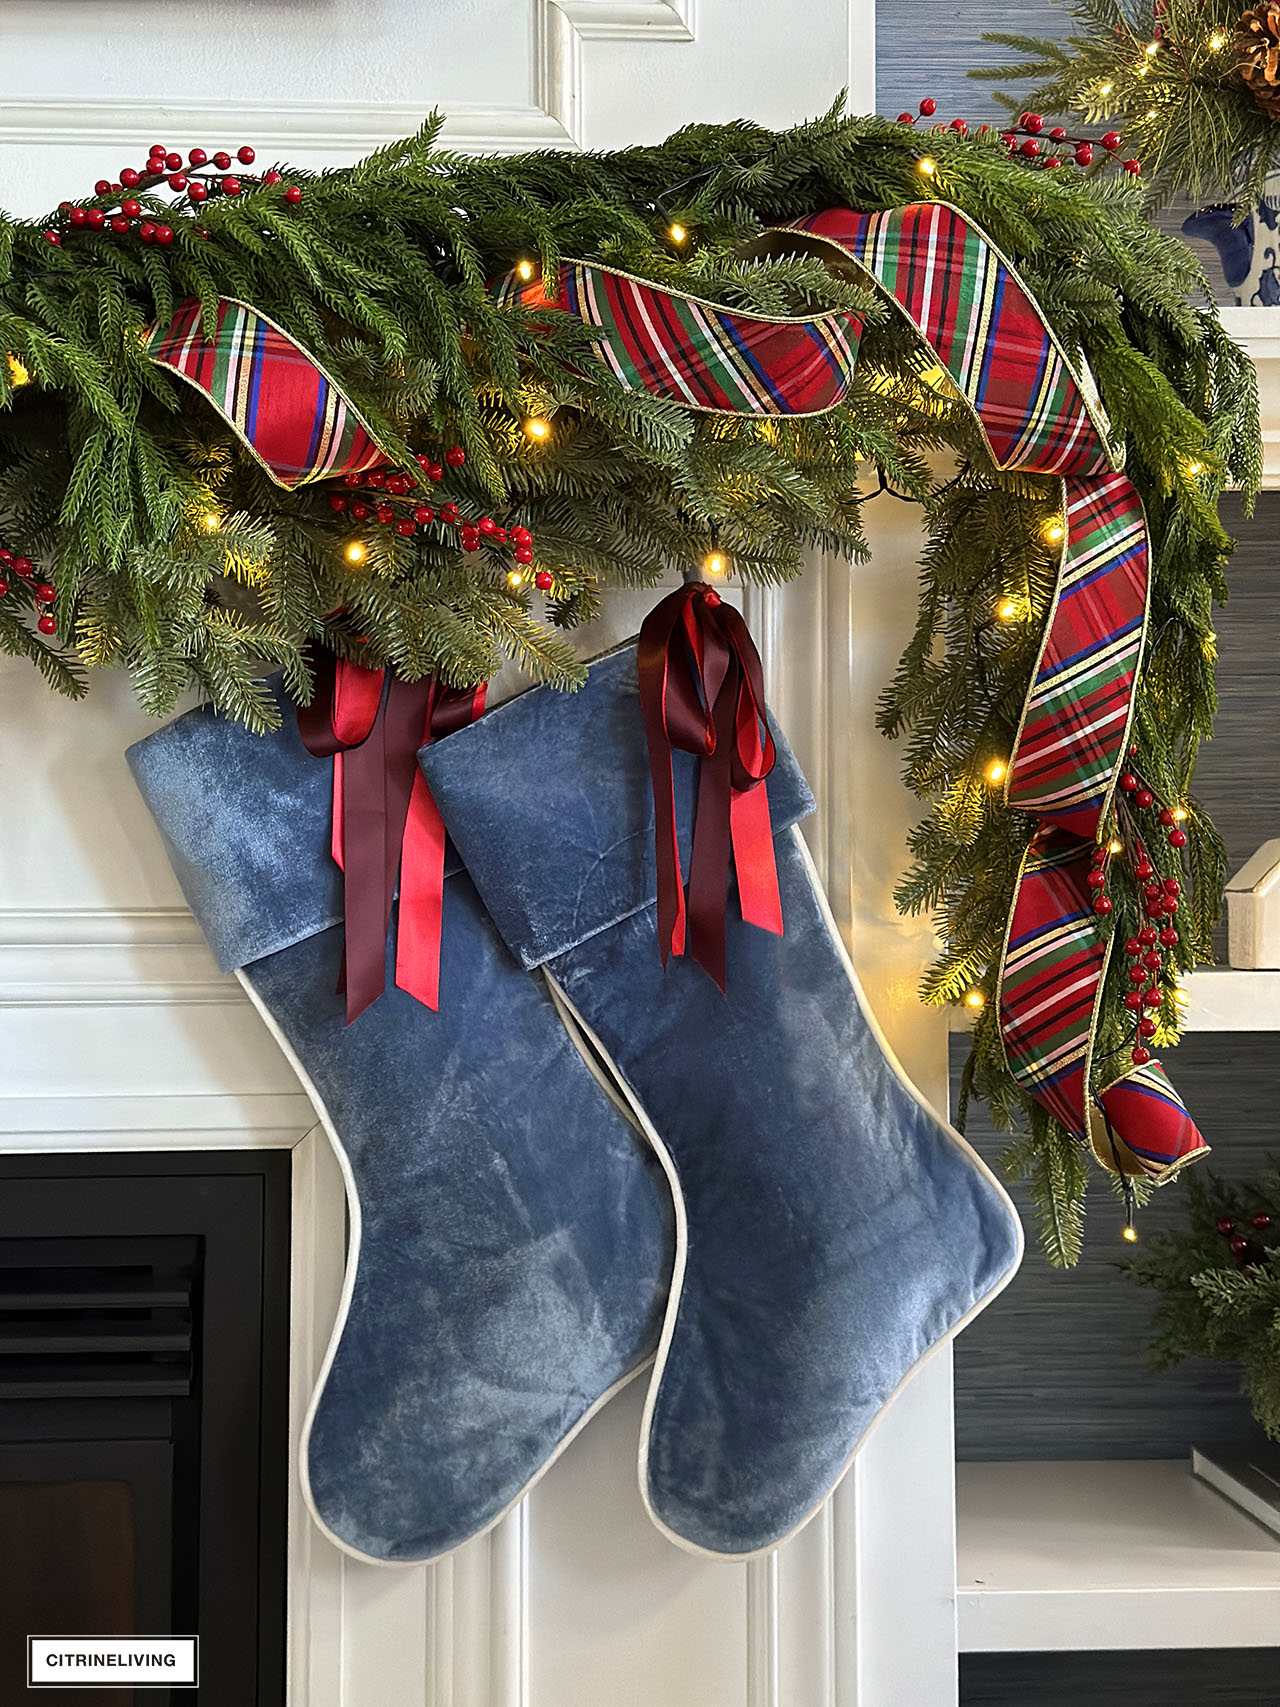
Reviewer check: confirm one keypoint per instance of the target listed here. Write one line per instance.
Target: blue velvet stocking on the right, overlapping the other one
(832, 1228)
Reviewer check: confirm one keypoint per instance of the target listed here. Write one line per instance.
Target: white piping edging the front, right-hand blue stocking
(682, 1238)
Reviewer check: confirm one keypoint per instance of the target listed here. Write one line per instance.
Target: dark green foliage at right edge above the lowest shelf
(1219, 1286)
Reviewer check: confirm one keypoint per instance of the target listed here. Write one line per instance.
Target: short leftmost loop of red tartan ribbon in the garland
(274, 395)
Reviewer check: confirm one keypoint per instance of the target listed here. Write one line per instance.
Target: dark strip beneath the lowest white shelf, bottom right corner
(1194, 1679)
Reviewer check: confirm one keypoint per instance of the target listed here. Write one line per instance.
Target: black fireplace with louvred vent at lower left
(144, 1414)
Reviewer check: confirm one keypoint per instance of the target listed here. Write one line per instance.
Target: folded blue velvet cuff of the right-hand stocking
(550, 805)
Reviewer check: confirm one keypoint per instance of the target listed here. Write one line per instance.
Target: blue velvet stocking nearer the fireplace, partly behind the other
(511, 1235)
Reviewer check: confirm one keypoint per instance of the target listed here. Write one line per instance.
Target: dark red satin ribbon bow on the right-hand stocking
(702, 690)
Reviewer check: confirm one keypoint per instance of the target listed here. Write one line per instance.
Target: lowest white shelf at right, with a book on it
(1108, 1556)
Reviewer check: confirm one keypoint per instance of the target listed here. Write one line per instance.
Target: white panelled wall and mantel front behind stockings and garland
(119, 1032)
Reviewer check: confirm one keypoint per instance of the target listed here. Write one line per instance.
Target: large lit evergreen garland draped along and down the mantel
(112, 469)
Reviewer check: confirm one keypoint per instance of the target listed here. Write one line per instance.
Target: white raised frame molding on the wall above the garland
(552, 119)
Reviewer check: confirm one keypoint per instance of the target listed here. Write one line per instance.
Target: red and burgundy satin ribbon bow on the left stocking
(385, 820)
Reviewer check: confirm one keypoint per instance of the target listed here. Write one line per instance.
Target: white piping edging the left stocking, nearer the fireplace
(346, 1307)
